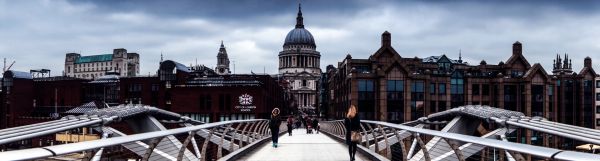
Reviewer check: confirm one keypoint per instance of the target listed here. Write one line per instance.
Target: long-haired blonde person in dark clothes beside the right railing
(351, 123)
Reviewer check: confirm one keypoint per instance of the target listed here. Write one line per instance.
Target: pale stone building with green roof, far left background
(94, 66)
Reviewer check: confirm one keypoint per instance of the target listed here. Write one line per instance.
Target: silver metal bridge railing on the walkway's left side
(209, 141)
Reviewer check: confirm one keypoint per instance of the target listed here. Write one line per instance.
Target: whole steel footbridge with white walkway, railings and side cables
(462, 133)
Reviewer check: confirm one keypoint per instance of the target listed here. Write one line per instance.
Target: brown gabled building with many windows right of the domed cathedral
(389, 87)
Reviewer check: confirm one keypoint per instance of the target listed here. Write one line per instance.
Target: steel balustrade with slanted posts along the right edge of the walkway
(453, 141)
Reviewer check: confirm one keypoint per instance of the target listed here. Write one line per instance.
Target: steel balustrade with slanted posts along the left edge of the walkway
(258, 132)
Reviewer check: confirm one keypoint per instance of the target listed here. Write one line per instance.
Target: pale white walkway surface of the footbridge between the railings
(303, 147)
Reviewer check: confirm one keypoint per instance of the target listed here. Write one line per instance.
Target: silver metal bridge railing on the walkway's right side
(401, 142)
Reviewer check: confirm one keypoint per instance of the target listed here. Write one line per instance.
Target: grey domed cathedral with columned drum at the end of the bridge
(299, 64)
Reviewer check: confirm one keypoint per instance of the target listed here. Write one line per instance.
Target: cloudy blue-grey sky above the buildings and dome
(37, 34)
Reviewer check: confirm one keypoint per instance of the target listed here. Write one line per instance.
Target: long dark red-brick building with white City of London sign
(197, 91)
